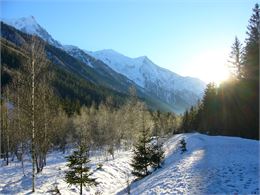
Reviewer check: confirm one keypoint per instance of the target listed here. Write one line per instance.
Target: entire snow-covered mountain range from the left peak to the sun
(173, 90)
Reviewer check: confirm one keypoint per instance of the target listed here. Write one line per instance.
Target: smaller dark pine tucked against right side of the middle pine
(157, 154)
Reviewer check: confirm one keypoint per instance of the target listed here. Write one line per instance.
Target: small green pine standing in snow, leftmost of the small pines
(79, 172)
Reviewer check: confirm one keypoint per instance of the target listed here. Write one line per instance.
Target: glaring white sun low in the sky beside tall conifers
(210, 66)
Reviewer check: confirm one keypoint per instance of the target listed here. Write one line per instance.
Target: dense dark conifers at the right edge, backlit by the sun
(233, 107)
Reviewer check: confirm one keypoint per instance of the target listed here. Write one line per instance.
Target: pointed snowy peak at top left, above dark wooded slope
(29, 25)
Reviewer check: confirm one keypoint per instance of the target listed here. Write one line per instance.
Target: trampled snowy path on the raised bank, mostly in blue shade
(212, 165)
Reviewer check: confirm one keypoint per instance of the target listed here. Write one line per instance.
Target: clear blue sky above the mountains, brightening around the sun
(189, 37)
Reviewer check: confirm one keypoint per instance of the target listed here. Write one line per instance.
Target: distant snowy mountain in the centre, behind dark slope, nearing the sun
(165, 84)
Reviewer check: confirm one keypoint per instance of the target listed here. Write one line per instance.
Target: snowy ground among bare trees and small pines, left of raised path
(111, 178)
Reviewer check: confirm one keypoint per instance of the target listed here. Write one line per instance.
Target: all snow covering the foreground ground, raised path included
(211, 165)
